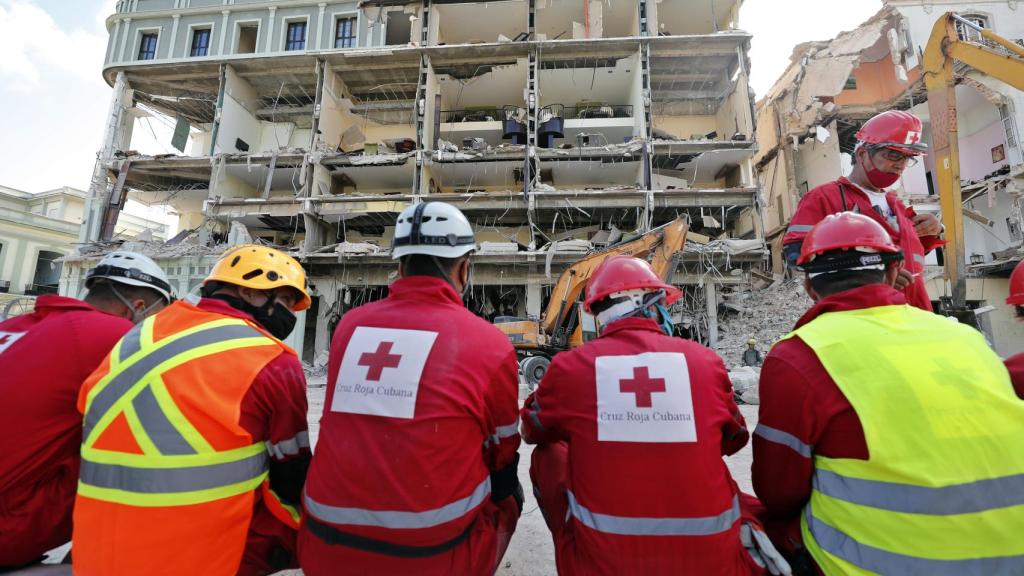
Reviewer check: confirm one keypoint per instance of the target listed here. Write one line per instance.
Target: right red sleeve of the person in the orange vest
(275, 408)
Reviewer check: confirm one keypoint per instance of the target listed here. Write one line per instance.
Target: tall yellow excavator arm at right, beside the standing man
(996, 57)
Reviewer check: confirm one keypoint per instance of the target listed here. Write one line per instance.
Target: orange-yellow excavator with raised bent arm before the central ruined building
(565, 324)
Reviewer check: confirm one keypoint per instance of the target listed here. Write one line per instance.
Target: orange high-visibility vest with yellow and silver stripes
(168, 477)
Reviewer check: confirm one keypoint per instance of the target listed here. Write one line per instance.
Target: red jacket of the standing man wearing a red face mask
(843, 196)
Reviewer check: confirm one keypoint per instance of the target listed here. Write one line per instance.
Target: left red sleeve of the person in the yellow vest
(784, 439)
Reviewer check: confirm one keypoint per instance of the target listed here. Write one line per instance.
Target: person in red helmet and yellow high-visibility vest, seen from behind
(889, 439)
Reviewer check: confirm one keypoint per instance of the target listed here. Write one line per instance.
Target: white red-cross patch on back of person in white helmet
(380, 373)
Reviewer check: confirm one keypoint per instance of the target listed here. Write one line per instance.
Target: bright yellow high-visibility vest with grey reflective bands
(944, 491)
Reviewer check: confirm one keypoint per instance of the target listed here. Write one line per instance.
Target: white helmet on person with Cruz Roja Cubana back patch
(434, 229)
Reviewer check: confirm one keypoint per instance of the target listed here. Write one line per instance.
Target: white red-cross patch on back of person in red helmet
(645, 398)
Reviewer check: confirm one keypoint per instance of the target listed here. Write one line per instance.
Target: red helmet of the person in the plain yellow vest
(846, 231)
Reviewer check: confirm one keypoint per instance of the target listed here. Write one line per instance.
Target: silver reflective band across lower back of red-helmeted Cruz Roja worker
(631, 526)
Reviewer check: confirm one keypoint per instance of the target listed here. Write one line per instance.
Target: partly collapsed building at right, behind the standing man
(808, 120)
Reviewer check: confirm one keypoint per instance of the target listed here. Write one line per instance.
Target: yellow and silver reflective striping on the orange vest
(178, 466)
